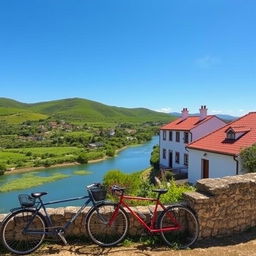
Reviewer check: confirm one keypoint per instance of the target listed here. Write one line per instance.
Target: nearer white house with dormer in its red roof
(217, 155)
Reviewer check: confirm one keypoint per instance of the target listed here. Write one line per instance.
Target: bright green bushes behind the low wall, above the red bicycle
(138, 184)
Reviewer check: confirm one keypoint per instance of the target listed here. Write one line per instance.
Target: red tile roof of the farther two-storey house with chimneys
(187, 124)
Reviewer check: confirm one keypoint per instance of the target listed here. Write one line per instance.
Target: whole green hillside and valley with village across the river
(68, 131)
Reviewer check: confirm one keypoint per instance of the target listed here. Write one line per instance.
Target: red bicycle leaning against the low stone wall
(177, 224)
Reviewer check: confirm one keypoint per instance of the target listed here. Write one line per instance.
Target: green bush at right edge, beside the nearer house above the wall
(248, 156)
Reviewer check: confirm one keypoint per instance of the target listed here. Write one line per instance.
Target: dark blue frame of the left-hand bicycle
(41, 205)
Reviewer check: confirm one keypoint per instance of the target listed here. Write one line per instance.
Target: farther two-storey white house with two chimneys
(175, 136)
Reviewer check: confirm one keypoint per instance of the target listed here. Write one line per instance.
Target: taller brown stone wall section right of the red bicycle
(225, 205)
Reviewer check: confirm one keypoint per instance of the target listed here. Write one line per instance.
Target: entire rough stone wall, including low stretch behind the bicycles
(223, 206)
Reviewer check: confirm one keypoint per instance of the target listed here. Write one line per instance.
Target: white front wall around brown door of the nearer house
(219, 165)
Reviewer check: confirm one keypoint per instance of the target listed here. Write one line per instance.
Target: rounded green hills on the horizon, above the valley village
(77, 110)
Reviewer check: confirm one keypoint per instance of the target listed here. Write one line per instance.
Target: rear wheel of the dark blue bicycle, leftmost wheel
(18, 231)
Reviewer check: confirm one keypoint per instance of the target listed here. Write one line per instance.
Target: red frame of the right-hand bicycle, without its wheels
(151, 228)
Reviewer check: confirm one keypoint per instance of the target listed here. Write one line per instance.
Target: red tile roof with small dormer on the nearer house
(217, 141)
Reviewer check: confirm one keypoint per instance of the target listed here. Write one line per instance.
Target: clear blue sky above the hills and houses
(161, 54)
